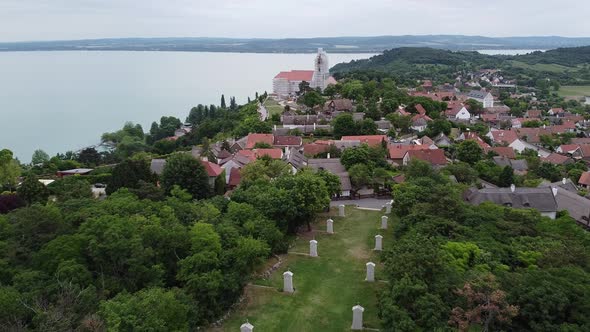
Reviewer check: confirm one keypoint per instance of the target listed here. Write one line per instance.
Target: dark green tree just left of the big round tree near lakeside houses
(128, 173)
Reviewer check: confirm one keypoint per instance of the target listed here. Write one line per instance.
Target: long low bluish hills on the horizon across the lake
(300, 45)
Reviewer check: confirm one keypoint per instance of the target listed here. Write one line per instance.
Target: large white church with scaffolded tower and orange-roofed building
(286, 83)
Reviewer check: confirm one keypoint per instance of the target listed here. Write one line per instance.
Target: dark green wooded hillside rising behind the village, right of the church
(569, 66)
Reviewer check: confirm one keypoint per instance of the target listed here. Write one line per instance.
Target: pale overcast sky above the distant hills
(77, 19)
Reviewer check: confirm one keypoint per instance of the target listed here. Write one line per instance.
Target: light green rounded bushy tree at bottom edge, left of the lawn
(152, 309)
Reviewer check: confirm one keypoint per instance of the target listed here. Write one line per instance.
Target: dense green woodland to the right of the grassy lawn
(487, 268)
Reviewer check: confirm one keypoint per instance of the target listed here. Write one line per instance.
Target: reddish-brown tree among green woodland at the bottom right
(485, 305)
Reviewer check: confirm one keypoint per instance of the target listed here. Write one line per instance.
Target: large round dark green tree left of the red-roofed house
(188, 173)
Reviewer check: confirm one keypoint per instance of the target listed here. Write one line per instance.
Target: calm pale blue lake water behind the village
(59, 101)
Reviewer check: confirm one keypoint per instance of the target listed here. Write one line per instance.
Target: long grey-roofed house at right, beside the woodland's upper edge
(541, 199)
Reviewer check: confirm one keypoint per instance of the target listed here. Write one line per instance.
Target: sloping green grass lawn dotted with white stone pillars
(326, 287)
